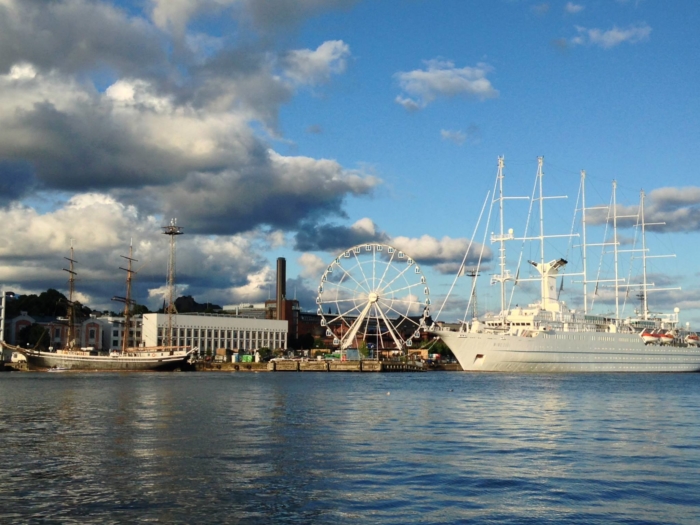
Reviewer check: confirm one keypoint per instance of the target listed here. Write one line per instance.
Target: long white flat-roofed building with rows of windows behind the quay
(214, 331)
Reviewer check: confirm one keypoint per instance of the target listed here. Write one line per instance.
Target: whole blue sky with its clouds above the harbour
(300, 128)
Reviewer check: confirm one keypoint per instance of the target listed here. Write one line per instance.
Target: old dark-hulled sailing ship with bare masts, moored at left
(128, 357)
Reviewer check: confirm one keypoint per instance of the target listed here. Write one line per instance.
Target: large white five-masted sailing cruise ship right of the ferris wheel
(548, 336)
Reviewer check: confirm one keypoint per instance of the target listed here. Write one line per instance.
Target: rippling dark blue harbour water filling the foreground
(349, 448)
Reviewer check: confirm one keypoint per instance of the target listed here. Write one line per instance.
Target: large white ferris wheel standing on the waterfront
(373, 294)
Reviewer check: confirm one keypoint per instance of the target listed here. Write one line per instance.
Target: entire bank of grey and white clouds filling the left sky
(127, 118)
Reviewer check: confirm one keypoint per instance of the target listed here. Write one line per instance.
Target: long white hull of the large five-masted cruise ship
(567, 352)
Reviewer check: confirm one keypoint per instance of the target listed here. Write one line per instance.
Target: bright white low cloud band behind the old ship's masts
(32, 247)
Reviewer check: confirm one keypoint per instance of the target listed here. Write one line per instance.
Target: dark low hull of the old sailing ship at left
(147, 361)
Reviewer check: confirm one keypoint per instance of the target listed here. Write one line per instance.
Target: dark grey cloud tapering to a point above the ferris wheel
(282, 192)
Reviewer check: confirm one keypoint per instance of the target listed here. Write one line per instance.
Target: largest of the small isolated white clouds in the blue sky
(441, 78)
